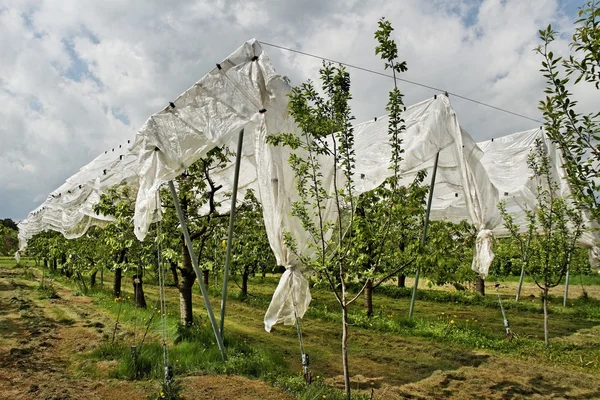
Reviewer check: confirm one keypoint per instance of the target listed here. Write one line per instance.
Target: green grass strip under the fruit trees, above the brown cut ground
(387, 344)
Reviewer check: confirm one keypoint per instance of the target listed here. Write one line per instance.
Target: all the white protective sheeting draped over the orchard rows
(244, 92)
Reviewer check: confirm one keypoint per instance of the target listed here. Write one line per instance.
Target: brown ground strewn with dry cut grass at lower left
(42, 343)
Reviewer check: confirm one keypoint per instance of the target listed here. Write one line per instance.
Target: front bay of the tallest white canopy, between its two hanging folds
(242, 92)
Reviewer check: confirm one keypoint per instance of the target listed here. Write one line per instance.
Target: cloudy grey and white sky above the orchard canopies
(79, 77)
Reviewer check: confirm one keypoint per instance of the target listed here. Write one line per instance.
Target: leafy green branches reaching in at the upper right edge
(577, 135)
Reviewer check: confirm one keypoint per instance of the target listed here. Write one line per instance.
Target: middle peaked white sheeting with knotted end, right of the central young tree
(462, 189)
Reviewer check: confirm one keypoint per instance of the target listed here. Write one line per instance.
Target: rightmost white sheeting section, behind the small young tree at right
(505, 160)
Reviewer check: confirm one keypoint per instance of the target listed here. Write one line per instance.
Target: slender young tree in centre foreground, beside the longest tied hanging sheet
(323, 161)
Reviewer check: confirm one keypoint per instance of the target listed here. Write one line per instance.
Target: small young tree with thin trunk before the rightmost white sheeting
(552, 231)
